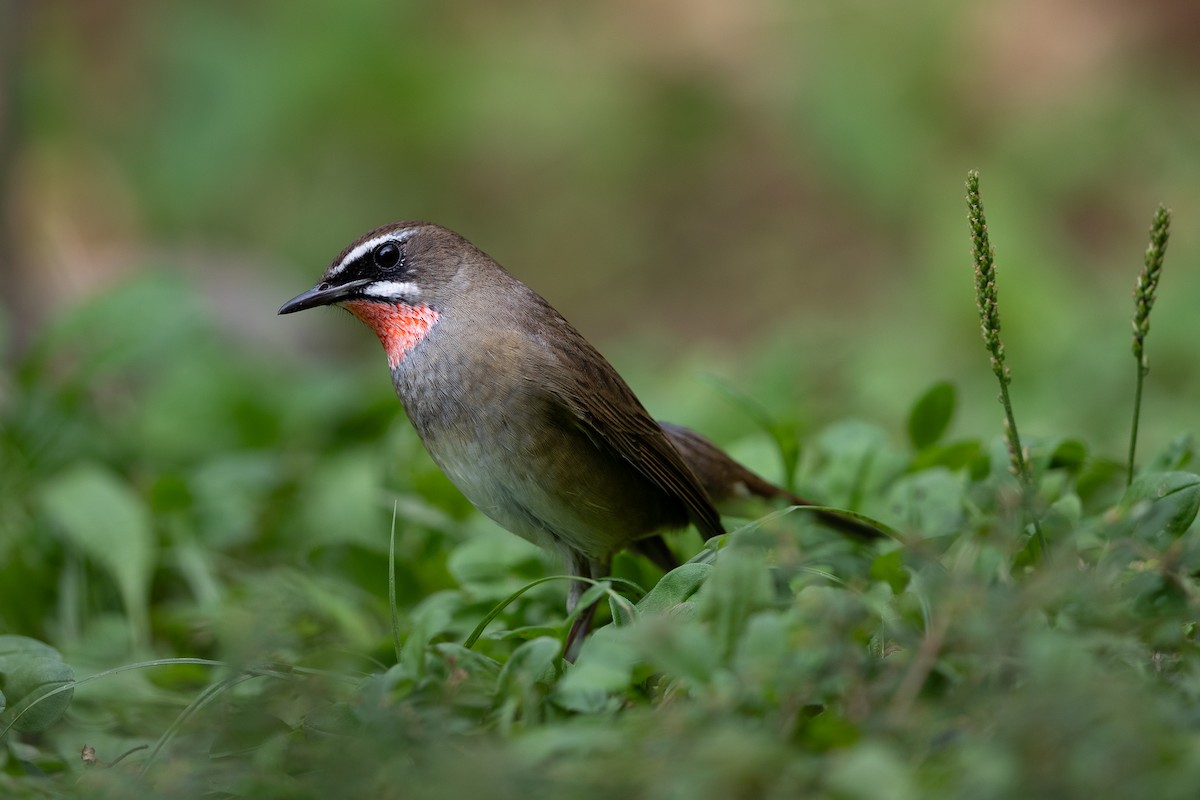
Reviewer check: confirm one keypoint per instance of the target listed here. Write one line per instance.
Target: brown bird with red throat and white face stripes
(525, 417)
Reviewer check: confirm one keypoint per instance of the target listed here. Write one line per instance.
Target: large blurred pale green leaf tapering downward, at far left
(100, 515)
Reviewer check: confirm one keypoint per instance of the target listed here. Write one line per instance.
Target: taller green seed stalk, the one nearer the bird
(988, 300)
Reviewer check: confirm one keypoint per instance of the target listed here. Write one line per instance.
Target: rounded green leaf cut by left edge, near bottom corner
(28, 671)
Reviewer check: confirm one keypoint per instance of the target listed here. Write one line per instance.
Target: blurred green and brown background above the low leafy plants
(766, 191)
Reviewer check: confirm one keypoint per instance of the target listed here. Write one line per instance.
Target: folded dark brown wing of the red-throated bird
(613, 416)
